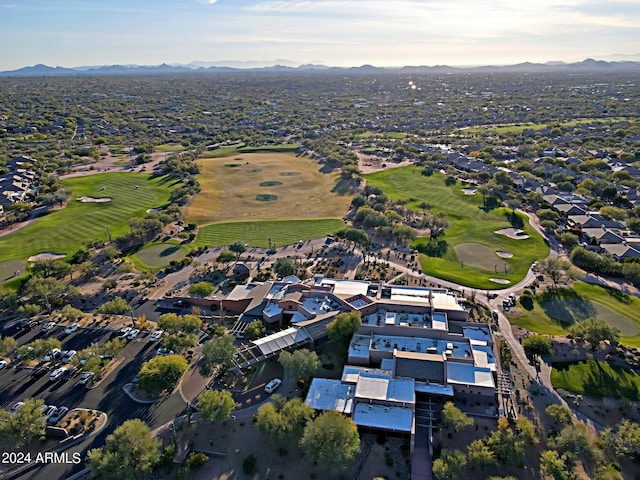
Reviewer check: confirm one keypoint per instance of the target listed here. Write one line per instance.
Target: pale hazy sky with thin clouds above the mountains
(73, 33)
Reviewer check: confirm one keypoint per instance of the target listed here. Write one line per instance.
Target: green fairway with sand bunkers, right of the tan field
(469, 225)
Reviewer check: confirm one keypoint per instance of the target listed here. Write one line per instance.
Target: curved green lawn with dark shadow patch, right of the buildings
(553, 312)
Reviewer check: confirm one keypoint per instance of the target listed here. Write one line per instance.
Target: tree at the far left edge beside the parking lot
(25, 424)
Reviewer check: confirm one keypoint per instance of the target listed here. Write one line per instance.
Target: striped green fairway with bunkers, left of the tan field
(63, 231)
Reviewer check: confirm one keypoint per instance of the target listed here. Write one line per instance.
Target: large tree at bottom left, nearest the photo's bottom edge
(130, 452)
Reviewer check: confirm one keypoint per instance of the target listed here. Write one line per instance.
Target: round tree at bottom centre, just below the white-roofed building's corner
(331, 440)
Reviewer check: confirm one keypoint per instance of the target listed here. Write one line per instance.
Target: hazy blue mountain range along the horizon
(588, 65)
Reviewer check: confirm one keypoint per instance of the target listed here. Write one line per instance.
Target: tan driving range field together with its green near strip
(254, 197)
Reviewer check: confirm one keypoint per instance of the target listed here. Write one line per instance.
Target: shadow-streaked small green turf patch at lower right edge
(598, 379)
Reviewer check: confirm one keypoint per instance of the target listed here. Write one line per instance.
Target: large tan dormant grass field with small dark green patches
(265, 186)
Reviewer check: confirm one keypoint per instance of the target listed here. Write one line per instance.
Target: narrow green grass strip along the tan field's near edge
(257, 234)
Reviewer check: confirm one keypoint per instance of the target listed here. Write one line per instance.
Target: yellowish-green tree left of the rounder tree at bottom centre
(283, 419)
